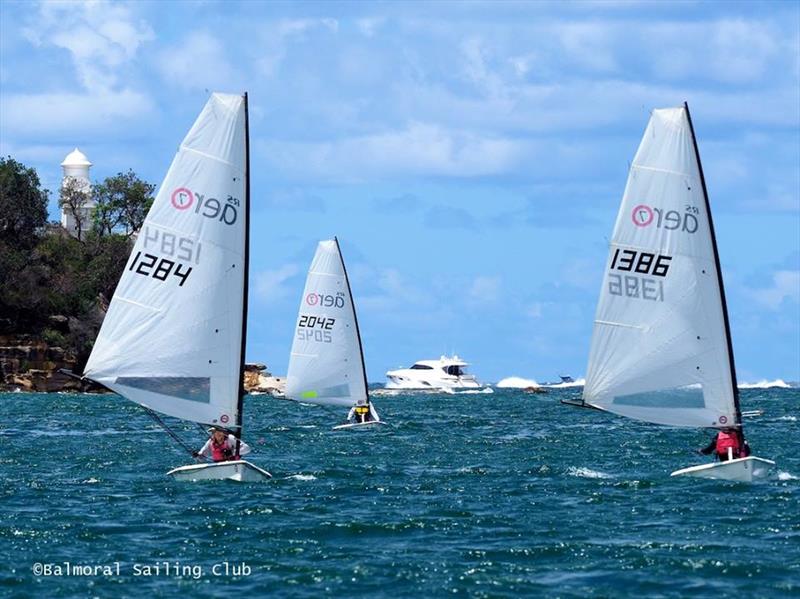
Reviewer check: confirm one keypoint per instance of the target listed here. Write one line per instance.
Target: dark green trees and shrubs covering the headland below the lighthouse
(46, 272)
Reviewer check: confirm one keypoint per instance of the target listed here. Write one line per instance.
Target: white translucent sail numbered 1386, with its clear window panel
(660, 348)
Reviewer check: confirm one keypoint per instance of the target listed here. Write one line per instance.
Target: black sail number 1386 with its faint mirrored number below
(635, 285)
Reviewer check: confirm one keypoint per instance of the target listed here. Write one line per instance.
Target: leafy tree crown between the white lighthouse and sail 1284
(122, 203)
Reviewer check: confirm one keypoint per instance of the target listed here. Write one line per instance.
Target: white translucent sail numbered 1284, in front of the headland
(171, 340)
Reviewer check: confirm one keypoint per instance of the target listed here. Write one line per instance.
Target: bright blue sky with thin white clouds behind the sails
(470, 156)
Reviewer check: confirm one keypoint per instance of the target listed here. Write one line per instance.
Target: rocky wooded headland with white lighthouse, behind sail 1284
(56, 278)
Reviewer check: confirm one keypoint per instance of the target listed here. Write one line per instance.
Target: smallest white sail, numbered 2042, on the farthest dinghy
(326, 364)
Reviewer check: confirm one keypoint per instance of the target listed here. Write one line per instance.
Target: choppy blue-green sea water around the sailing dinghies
(478, 495)
